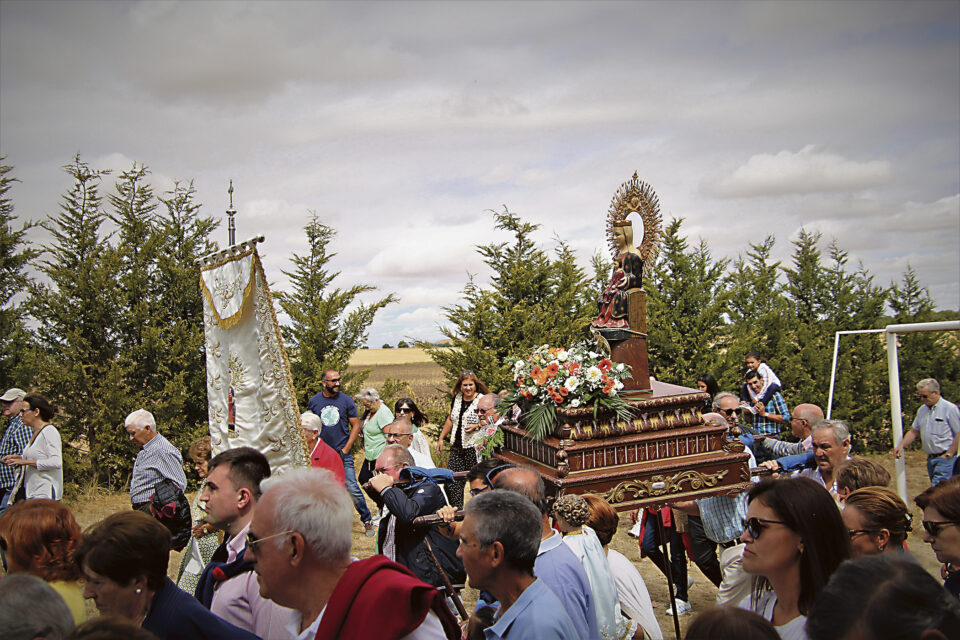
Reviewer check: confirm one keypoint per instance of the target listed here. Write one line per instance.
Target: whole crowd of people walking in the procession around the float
(815, 548)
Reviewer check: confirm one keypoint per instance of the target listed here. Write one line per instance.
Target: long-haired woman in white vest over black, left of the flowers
(462, 422)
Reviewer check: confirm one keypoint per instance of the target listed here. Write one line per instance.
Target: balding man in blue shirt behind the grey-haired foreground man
(556, 564)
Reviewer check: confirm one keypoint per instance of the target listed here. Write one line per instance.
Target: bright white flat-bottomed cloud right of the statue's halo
(806, 171)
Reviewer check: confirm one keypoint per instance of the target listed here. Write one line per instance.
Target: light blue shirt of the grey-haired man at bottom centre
(537, 614)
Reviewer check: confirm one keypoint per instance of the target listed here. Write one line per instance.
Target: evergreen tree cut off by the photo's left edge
(15, 257)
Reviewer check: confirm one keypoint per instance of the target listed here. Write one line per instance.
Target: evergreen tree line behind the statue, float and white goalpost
(705, 313)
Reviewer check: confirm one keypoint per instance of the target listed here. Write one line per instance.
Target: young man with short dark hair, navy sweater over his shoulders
(228, 586)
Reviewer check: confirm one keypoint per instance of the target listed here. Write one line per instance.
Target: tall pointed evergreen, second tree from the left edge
(76, 310)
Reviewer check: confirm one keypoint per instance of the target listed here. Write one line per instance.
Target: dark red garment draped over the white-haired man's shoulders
(378, 598)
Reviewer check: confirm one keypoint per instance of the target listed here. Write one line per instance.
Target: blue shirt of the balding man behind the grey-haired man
(560, 570)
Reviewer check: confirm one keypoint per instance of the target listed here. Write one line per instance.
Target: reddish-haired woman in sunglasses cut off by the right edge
(941, 524)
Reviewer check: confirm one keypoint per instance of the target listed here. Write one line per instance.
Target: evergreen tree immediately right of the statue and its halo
(685, 306)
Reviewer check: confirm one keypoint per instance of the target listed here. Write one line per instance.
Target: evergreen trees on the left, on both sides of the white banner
(107, 316)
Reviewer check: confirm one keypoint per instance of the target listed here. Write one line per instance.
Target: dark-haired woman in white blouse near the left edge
(42, 458)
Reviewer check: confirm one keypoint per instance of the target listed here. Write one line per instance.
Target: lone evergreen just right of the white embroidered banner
(321, 334)
